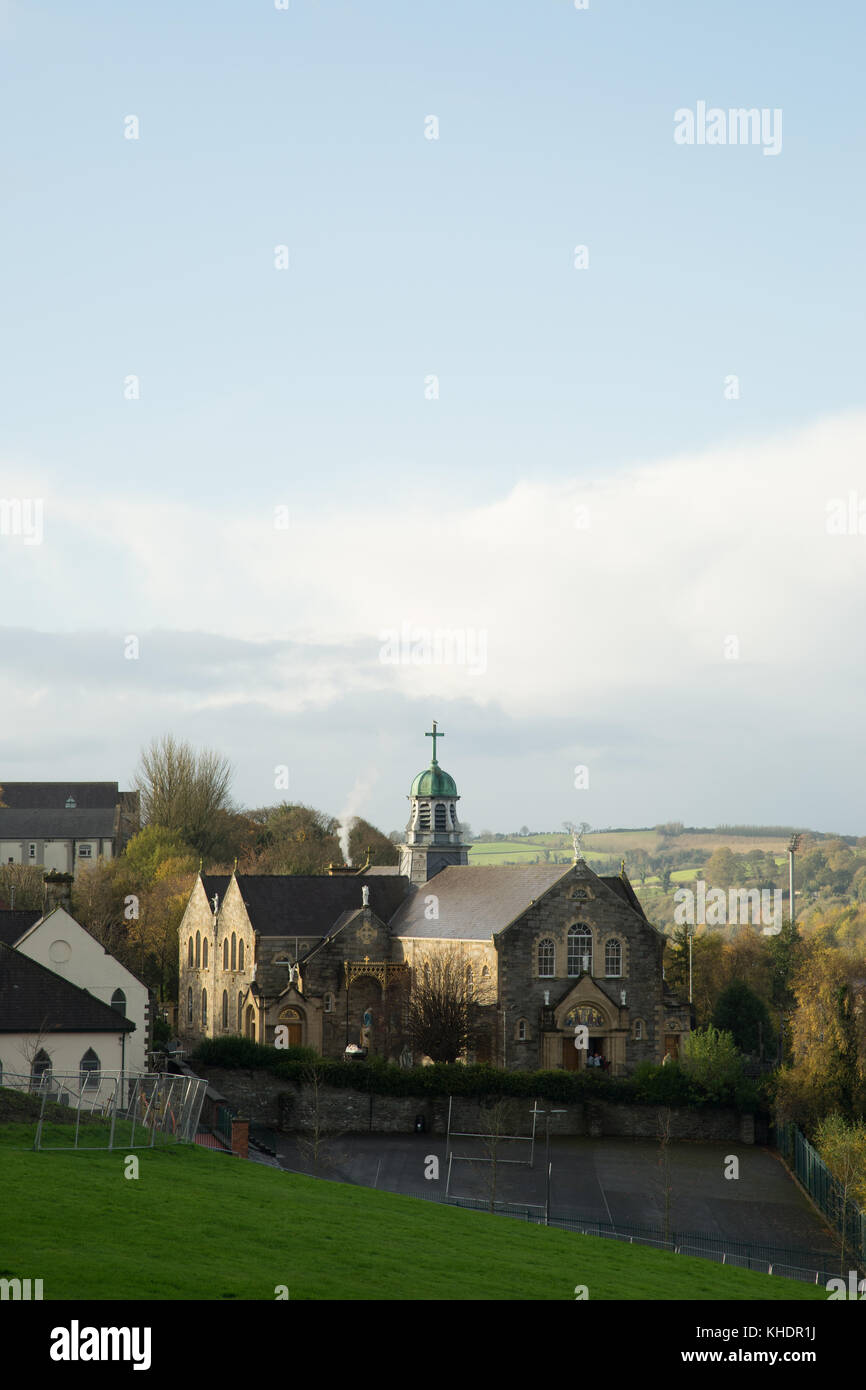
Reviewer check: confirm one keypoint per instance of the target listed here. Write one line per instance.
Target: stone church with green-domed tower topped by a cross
(333, 958)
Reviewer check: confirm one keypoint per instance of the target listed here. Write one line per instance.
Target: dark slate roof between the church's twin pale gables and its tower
(308, 906)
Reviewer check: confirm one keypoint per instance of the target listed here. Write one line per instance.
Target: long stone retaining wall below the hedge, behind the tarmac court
(280, 1106)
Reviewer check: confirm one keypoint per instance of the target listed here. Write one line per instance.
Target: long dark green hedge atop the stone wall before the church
(647, 1085)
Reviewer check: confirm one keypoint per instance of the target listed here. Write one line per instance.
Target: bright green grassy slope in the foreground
(201, 1225)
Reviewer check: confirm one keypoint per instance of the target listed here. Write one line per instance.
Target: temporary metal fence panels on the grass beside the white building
(112, 1110)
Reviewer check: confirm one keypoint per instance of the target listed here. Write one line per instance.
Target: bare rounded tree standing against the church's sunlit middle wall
(447, 1007)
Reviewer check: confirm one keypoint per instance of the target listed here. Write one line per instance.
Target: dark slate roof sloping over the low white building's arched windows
(35, 1000)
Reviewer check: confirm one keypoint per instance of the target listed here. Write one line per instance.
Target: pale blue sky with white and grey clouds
(372, 365)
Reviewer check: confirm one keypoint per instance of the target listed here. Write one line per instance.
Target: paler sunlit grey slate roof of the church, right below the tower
(475, 903)
